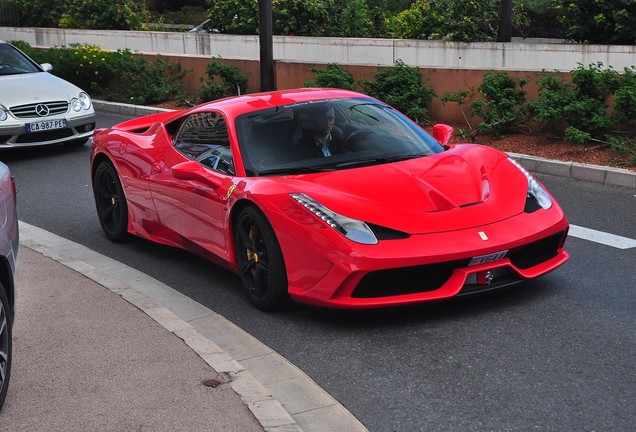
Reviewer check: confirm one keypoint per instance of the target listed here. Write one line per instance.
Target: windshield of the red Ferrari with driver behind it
(328, 135)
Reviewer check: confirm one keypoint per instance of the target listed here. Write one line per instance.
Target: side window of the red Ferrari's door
(203, 137)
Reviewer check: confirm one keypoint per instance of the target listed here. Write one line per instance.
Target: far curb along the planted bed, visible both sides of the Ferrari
(591, 173)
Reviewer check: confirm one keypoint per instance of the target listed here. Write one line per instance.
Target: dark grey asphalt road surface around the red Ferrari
(555, 354)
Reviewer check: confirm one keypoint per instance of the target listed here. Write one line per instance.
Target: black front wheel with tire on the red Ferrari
(260, 261)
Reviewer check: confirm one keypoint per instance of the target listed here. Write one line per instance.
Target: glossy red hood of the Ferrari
(463, 187)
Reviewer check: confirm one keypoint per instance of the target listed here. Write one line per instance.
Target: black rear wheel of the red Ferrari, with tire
(112, 209)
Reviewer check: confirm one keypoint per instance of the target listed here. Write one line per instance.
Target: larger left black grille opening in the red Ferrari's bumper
(407, 280)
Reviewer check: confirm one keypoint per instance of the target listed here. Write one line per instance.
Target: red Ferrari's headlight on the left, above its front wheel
(353, 229)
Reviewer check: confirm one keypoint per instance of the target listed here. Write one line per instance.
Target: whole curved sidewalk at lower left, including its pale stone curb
(101, 346)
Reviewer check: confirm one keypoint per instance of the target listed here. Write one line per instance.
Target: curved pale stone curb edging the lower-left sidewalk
(281, 397)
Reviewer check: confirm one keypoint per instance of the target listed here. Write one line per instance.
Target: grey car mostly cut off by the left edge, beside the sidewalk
(9, 245)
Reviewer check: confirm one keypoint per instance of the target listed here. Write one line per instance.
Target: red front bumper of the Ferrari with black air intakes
(433, 266)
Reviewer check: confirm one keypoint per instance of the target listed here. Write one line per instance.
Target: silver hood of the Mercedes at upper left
(35, 87)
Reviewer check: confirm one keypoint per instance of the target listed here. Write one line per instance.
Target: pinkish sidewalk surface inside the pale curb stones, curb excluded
(87, 360)
